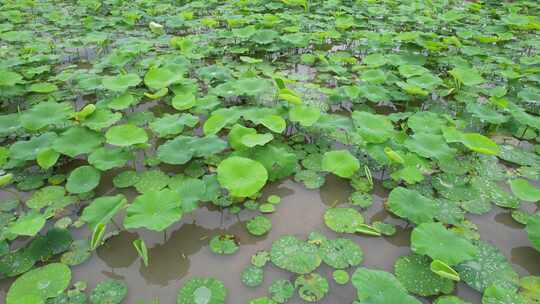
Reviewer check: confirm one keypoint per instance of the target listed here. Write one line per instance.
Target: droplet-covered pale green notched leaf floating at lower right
(488, 267)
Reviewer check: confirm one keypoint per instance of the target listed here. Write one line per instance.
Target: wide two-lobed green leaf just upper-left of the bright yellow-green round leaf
(183, 148)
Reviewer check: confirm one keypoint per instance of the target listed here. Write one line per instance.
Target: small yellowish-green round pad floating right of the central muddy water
(343, 220)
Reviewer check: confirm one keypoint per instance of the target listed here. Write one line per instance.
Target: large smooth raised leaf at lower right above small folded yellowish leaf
(434, 240)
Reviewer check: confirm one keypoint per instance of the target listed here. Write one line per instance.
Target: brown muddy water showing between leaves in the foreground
(182, 252)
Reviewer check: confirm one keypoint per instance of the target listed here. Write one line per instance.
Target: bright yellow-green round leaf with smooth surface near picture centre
(242, 177)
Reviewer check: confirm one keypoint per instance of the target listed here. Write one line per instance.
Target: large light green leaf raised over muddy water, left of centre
(154, 210)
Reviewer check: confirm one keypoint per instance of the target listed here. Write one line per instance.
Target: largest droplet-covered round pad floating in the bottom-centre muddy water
(294, 255)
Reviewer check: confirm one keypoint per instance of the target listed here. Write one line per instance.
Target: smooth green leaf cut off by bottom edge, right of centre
(376, 286)
